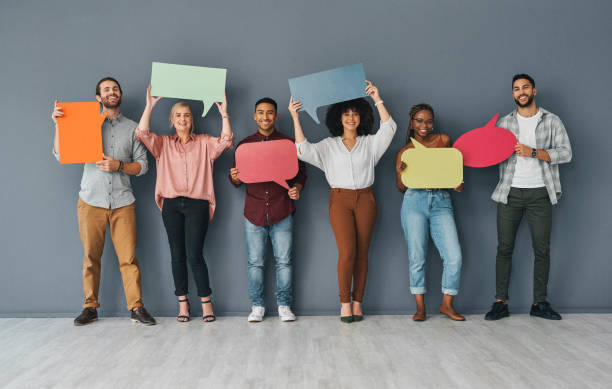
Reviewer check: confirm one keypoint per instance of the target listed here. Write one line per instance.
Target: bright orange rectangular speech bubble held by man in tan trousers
(80, 132)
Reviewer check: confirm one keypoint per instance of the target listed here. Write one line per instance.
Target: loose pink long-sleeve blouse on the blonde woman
(185, 170)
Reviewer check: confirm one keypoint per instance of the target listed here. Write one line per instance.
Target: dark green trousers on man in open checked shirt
(535, 204)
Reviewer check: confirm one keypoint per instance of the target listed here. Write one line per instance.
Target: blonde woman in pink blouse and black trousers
(184, 192)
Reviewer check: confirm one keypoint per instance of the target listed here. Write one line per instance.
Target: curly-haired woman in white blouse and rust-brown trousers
(348, 159)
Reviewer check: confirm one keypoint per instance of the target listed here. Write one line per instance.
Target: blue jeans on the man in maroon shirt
(281, 236)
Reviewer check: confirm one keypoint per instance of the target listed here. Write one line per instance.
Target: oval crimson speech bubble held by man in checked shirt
(486, 146)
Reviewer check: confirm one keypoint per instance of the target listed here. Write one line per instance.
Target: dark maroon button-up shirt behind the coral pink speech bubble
(268, 203)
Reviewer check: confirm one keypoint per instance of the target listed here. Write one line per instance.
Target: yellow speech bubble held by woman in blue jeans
(432, 167)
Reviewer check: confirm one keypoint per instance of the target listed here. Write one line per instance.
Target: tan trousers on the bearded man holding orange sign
(92, 227)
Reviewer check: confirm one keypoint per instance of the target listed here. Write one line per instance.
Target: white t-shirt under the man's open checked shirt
(527, 173)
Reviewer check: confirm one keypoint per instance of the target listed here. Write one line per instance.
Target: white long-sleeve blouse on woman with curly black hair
(348, 169)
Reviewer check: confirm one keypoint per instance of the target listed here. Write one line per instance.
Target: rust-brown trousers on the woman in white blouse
(352, 214)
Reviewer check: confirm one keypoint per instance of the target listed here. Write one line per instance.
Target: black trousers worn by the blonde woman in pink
(186, 222)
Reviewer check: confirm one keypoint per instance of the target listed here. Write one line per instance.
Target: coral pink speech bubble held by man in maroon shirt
(274, 160)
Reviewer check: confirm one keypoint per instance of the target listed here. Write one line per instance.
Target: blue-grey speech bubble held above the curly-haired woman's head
(328, 87)
